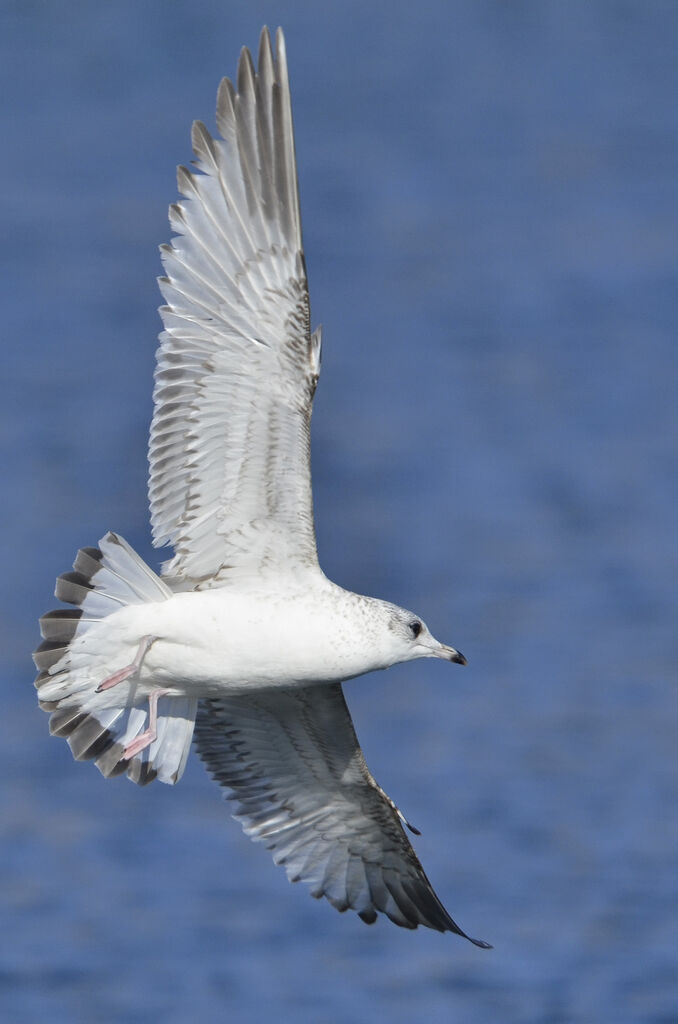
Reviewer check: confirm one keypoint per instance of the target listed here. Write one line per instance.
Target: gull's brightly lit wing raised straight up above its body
(230, 483)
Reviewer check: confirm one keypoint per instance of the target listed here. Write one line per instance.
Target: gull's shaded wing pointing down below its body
(298, 774)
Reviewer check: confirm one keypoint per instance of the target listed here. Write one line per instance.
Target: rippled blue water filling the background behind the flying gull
(490, 194)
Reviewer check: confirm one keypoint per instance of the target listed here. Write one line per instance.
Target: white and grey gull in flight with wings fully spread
(241, 644)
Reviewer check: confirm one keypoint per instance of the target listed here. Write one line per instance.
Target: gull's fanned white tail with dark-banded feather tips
(80, 650)
